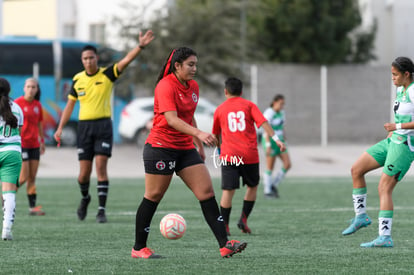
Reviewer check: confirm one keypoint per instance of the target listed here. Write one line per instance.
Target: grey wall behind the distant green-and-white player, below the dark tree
(359, 101)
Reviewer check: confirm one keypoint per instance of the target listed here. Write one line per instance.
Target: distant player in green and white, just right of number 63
(275, 115)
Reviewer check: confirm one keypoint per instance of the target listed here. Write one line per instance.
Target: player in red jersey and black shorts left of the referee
(33, 142)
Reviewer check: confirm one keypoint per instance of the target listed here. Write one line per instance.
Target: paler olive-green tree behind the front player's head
(210, 27)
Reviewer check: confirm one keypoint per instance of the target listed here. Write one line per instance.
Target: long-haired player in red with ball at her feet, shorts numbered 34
(170, 148)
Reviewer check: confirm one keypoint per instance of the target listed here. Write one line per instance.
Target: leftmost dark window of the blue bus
(17, 59)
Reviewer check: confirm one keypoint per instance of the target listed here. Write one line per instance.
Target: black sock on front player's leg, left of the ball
(143, 219)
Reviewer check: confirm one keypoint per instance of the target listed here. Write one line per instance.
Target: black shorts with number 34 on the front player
(166, 161)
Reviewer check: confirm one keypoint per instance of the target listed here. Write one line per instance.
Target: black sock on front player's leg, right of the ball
(215, 220)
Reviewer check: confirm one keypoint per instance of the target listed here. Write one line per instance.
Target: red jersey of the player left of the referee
(32, 111)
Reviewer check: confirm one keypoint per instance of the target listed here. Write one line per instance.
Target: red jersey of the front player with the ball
(171, 95)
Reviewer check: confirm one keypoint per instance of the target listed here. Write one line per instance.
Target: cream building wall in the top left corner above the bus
(30, 18)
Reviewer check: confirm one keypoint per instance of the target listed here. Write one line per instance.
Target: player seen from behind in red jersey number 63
(234, 124)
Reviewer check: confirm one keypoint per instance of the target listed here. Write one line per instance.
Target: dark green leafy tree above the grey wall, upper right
(314, 31)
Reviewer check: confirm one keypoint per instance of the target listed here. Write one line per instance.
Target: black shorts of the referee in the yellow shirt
(94, 138)
